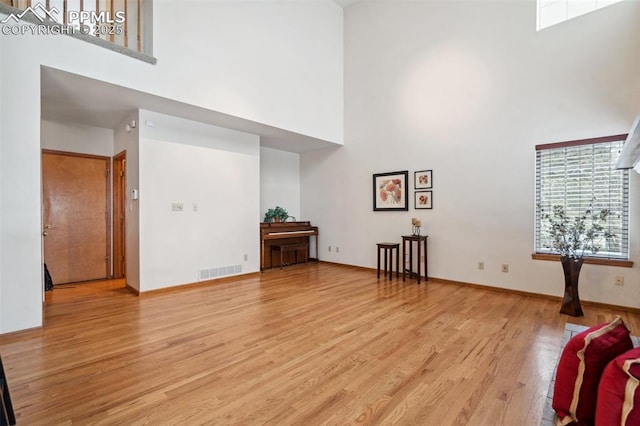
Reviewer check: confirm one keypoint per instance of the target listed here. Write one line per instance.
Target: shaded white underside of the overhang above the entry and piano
(72, 98)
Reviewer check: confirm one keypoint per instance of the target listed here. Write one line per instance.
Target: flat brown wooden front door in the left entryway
(76, 220)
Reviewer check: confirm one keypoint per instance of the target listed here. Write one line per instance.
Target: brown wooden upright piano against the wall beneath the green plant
(276, 233)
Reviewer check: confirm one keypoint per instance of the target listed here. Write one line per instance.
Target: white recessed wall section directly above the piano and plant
(279, 181)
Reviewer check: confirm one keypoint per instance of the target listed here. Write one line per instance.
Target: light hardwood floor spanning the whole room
(316, 344)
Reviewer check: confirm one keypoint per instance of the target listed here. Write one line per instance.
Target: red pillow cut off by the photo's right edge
(619, 391)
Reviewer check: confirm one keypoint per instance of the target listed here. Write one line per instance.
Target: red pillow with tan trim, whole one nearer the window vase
(581, 365)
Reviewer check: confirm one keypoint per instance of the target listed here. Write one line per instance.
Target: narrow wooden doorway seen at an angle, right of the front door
(119, 185)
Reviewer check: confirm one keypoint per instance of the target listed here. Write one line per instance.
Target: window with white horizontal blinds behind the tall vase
(581, 174)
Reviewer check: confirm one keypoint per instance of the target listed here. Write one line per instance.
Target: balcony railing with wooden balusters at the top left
(125, 23)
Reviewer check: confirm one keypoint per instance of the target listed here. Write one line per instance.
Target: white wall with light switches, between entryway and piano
(216, 169)
